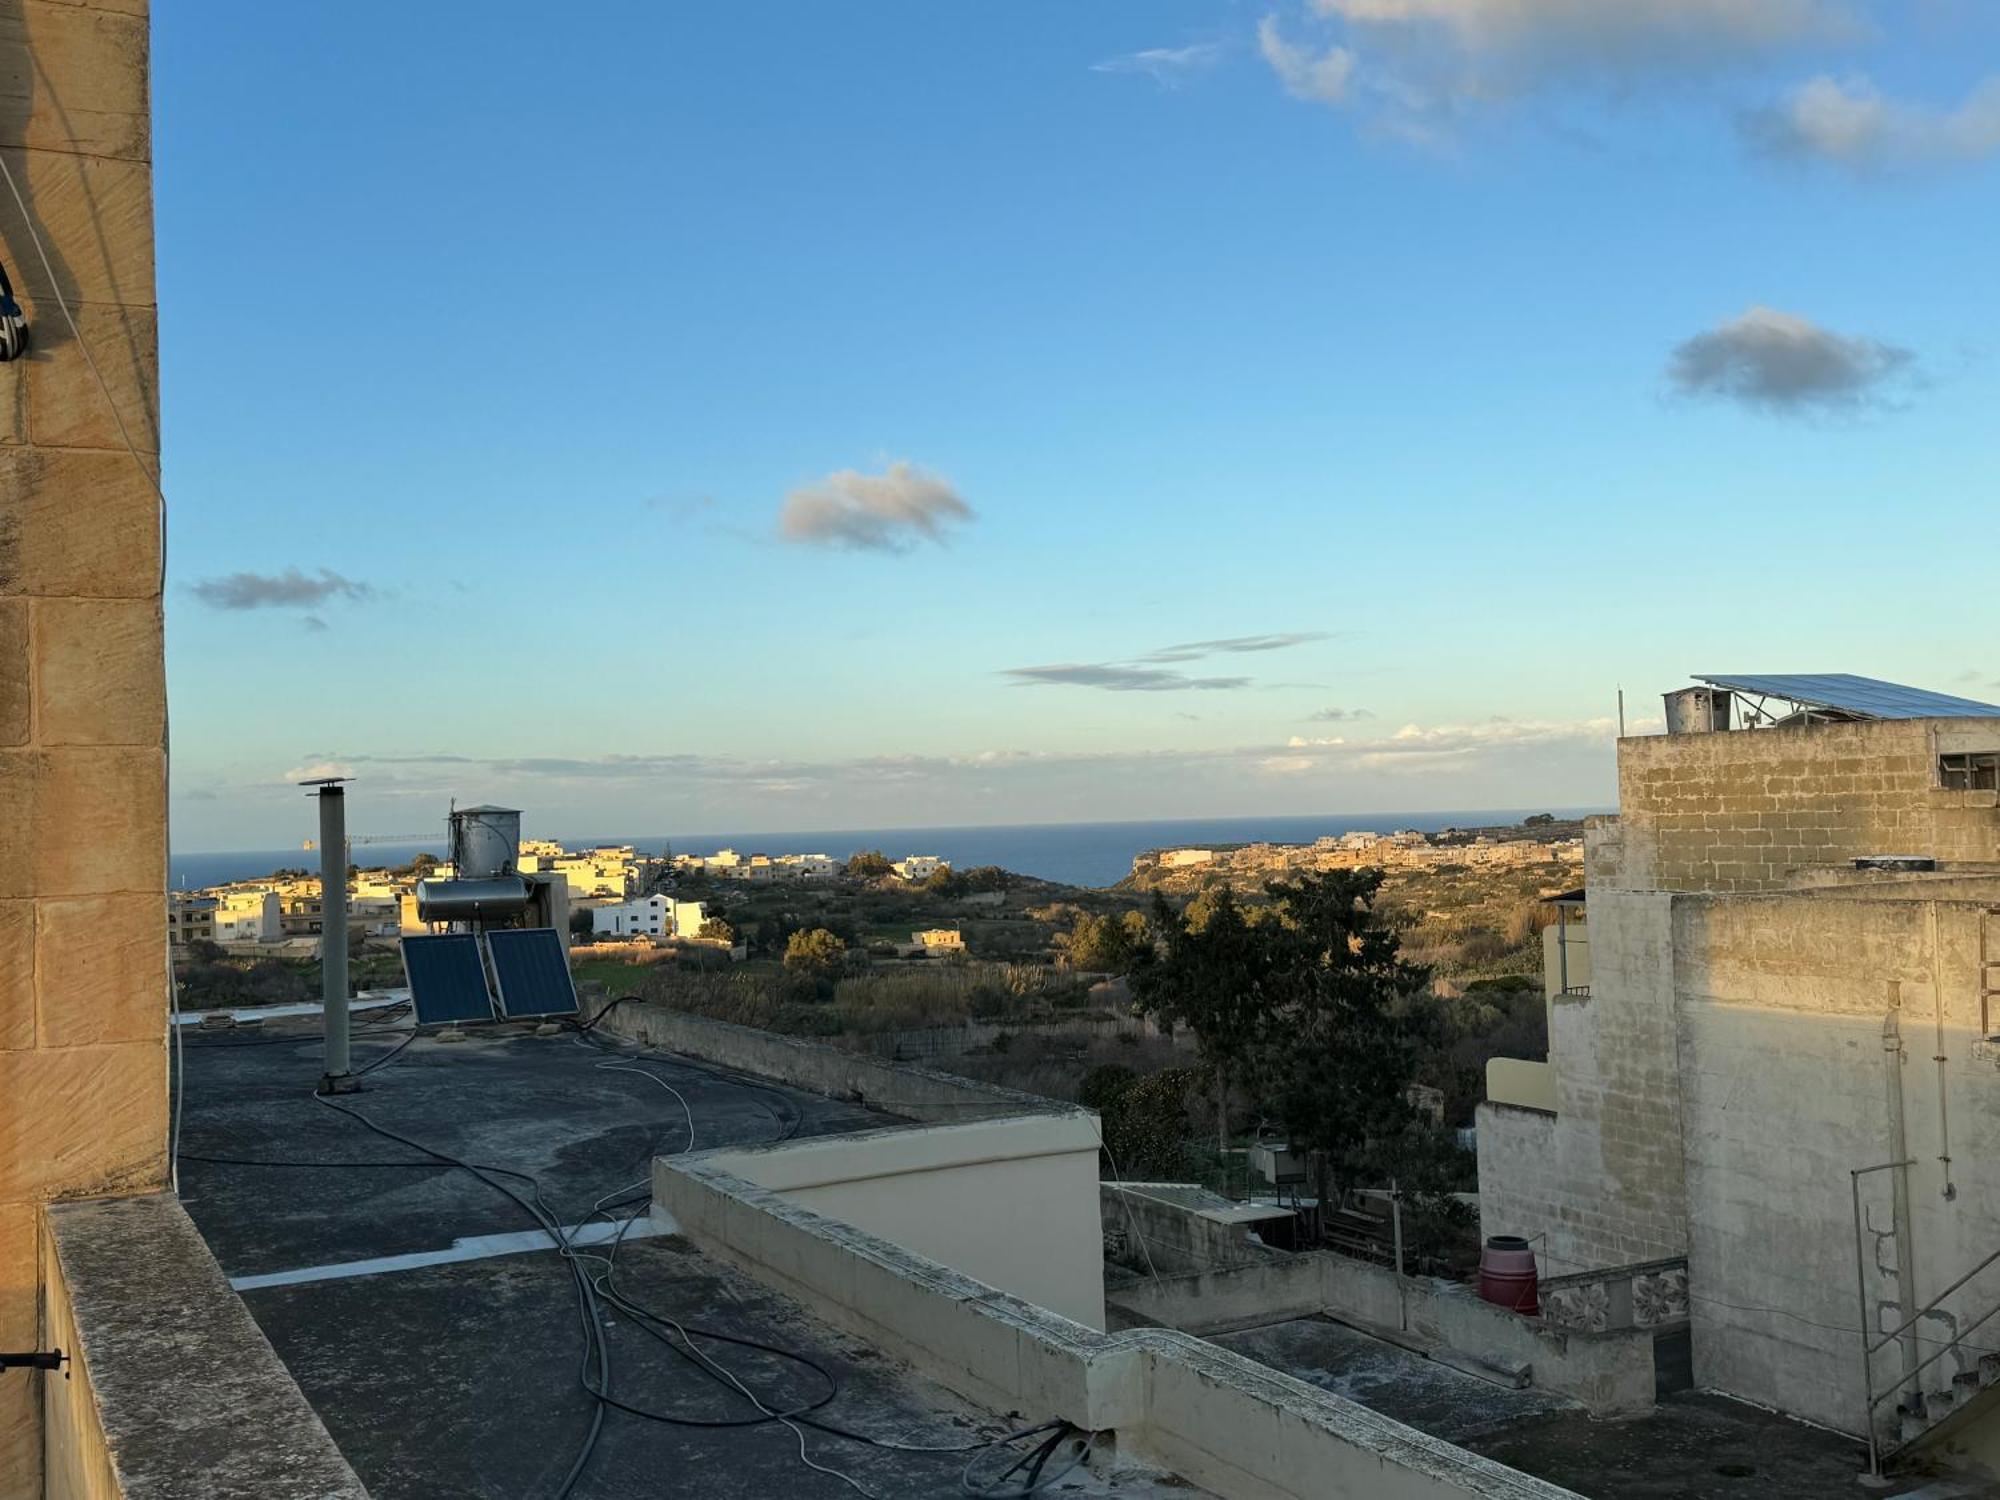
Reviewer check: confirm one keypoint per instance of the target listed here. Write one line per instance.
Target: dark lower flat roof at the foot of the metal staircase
(1691, 1447)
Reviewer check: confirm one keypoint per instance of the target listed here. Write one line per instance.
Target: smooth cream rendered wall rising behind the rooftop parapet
(1011, 1203)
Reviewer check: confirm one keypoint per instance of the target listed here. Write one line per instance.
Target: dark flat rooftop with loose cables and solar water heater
(439, 1339)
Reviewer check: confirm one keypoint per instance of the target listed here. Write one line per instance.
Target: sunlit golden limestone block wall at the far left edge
(83, 765)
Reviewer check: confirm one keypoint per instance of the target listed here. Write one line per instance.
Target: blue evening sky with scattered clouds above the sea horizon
(817, 417)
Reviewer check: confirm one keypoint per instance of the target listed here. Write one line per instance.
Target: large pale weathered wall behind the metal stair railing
(1787, 1085)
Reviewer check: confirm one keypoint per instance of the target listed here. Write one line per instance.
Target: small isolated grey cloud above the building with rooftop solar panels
(1779, 363)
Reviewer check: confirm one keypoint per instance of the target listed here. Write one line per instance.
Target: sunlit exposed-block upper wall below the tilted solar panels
(1745, 811)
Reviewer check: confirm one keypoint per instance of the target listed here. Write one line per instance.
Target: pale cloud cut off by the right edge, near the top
(1849, 123)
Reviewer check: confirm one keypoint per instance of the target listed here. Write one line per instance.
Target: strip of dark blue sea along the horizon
(1073, 853)
